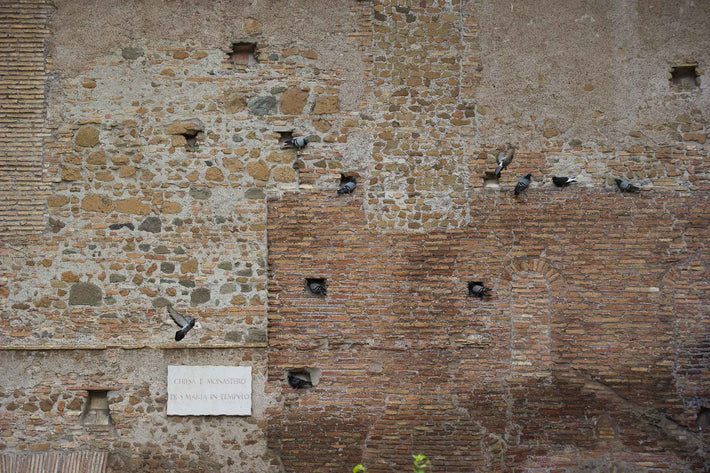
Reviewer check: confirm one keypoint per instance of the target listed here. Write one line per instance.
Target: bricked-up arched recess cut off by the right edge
(687, 287)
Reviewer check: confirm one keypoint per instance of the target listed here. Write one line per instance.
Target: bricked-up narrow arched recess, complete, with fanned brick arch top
(536, 290)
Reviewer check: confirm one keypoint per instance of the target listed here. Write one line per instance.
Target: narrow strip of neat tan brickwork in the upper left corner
(23, 75)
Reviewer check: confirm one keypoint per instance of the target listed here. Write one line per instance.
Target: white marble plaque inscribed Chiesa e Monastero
(209, 390)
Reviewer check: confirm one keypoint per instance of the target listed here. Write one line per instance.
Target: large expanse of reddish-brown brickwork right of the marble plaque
(581, 327)
